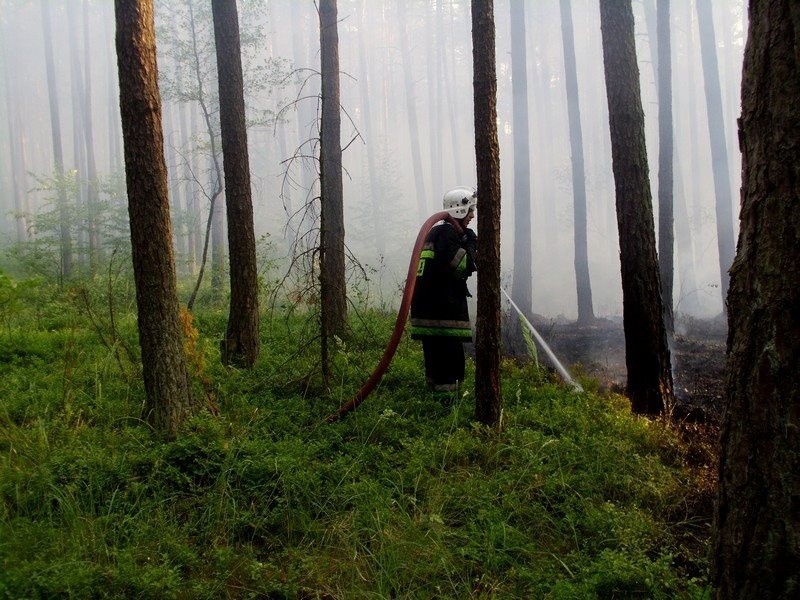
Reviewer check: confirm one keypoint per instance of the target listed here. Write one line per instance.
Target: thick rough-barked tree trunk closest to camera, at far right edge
(756, 544)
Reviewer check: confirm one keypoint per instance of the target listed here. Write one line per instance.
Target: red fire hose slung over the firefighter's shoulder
(402, 315)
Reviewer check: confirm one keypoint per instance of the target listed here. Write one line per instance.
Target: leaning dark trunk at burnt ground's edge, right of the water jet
(646, 352)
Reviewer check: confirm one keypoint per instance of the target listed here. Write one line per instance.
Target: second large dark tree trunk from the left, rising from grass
(241, 343)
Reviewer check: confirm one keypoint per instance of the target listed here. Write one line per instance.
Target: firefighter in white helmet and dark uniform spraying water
(439, 312)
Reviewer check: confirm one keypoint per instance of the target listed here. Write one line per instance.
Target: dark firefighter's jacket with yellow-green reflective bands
(439, 306)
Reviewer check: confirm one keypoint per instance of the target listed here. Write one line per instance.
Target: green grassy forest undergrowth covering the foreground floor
(258, 497)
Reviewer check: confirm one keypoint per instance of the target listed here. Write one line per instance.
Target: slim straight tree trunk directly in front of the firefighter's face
(488, 400)
